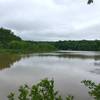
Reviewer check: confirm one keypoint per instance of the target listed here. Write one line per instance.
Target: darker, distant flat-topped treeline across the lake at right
(84, 45)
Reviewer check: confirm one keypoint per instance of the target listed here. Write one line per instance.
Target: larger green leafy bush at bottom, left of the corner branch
(42, 91)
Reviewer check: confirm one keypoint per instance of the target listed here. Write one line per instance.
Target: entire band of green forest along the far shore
(12, 43)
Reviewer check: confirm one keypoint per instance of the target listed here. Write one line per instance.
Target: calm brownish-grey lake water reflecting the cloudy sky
(68, 68)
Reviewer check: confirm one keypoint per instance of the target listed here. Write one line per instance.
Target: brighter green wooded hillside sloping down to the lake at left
(12, 43)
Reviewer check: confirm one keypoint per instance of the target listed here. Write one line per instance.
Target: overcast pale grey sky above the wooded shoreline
(51, 19)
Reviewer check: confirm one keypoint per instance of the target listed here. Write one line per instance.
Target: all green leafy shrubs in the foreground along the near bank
(44, 90)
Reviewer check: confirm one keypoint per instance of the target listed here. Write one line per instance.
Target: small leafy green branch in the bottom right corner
(94, 89)
